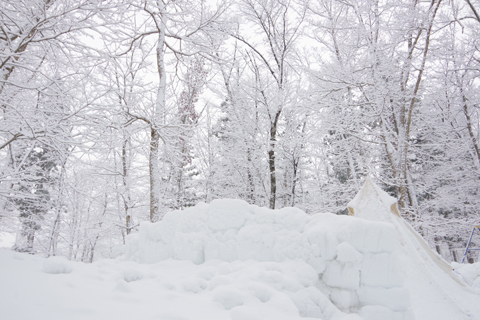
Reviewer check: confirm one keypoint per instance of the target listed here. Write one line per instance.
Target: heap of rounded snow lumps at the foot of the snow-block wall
(264, 290)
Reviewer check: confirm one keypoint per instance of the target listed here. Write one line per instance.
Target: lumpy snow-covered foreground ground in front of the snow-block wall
(167, 290)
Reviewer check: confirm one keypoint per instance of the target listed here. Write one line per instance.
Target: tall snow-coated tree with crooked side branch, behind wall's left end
(179, 27)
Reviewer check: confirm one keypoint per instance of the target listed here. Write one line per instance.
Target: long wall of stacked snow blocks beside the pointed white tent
(354, 258)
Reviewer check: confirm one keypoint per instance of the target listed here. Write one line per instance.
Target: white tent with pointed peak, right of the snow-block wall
(424, 270)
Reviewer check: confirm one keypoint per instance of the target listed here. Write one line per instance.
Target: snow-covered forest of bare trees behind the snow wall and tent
(115, 112)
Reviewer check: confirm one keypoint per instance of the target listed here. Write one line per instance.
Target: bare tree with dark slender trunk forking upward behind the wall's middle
(278, 24)
